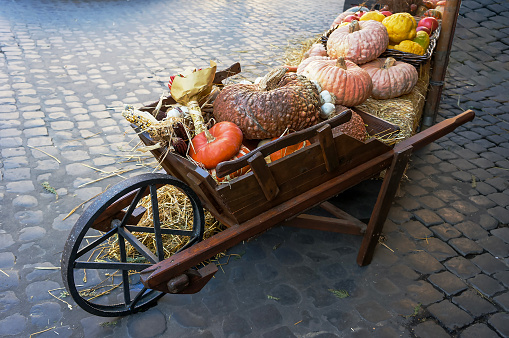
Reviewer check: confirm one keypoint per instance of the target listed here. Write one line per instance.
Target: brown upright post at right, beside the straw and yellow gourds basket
(439, 63)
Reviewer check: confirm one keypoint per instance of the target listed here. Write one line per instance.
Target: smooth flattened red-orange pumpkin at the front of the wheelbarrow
(219, 143)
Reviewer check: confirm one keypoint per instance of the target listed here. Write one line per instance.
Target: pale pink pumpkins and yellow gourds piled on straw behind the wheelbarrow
(349, 66)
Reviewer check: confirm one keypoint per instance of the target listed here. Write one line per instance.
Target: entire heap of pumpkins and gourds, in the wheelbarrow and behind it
(346, 73)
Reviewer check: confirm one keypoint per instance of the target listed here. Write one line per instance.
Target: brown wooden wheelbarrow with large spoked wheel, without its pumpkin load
(270, 194)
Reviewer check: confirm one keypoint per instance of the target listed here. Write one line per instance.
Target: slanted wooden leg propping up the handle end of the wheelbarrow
(383, 205)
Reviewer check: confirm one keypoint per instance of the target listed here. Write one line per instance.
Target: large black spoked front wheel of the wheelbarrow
(107, 247)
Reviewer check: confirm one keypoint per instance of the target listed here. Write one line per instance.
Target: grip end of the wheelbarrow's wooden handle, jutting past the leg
(436, 131)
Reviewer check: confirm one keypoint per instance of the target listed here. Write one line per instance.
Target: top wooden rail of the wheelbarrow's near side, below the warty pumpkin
(226, 167)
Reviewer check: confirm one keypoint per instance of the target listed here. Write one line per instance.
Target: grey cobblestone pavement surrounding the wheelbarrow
(66, 69)
